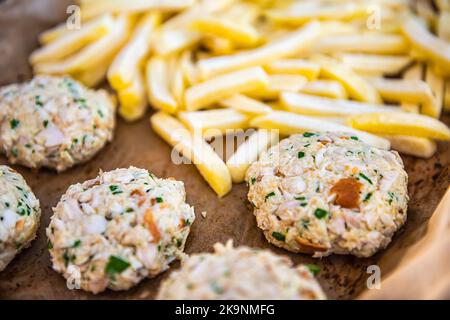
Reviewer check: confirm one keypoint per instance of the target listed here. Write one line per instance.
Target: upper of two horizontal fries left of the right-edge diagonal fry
(369, 42)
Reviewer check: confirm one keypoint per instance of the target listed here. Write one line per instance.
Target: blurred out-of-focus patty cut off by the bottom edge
(239, 274)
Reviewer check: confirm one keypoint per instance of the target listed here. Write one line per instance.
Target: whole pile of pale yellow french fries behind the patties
(377, 68)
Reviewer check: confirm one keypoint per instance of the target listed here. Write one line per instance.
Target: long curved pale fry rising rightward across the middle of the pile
(289, 45)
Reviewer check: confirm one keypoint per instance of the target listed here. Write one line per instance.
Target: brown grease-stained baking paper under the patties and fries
(30, 275)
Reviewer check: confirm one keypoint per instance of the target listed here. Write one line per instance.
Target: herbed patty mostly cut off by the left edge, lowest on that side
(20, 213)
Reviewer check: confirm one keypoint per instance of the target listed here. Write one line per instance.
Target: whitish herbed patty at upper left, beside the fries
(54, 122)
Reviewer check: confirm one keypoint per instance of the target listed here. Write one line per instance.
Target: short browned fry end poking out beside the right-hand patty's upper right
(412, 146)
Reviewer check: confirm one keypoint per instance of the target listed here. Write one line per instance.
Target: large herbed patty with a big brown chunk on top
(323, 193)
